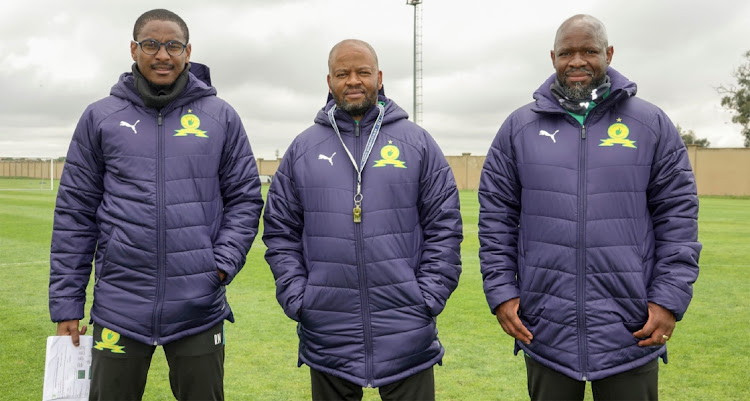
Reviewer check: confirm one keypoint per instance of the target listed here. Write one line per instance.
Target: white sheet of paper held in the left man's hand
(67, 369)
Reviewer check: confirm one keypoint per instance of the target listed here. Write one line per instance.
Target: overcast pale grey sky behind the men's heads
(482, 60)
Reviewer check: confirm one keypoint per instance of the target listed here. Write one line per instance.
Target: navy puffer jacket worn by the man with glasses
(160, 199)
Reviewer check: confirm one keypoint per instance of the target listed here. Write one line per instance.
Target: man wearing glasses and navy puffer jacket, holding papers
(161, 189)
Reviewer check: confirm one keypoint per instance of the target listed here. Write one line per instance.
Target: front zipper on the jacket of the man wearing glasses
(160, 229)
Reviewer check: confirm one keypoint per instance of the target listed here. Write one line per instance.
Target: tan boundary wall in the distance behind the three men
(718, 171)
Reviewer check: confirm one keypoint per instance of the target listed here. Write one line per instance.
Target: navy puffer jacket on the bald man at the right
(587, 224)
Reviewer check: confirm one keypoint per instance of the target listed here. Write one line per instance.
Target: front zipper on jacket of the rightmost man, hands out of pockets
(581, 276)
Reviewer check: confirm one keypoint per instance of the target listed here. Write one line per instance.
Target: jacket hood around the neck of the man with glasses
(197, 86)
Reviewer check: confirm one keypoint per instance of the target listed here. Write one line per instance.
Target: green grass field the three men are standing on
(709, 355)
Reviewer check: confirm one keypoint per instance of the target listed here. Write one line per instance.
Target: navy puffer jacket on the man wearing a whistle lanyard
(366, 295)
